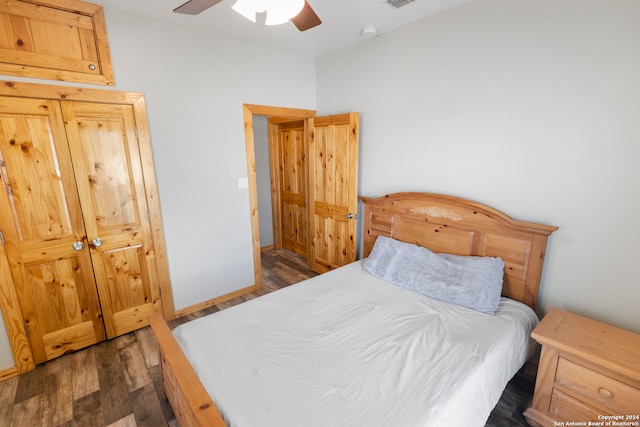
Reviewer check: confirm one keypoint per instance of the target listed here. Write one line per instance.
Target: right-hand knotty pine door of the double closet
(107, 164)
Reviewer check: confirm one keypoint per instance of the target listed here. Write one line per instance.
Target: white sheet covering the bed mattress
(347, 349)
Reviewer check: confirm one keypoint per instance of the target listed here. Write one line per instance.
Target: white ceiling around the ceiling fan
(342, 21)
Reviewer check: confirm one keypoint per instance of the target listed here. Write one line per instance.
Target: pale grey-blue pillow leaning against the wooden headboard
(469, 281)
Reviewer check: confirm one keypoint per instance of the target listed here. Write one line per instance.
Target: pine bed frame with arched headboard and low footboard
(441, 223)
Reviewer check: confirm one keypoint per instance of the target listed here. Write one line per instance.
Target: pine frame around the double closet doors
(11, 311)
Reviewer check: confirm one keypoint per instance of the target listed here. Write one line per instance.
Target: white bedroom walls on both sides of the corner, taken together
(532, 107)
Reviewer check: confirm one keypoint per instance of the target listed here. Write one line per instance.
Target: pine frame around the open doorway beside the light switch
(249, 110)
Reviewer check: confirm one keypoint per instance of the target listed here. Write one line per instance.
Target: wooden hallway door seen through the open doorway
(292, 173)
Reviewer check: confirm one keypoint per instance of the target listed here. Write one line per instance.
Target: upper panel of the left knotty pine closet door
(37, 189)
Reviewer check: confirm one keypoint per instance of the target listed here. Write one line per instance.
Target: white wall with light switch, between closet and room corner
(195, 86)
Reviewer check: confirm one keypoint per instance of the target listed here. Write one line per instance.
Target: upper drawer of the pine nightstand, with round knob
(595, 387)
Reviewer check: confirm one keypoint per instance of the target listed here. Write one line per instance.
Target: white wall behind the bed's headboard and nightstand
(532, 107)
